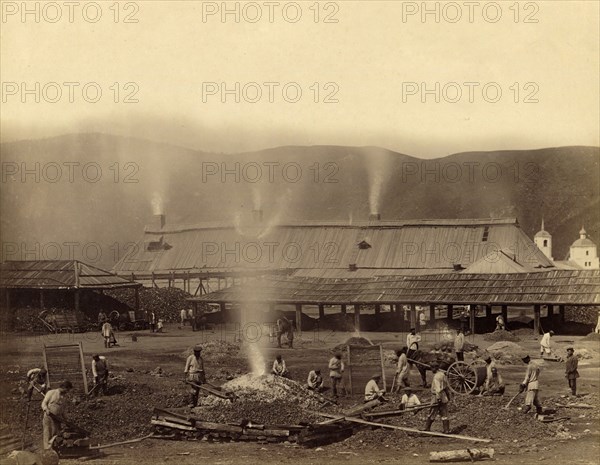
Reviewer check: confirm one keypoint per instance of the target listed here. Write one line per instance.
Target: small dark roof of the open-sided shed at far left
(58, 274)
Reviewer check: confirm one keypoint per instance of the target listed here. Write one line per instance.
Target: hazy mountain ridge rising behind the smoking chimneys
(105, 201)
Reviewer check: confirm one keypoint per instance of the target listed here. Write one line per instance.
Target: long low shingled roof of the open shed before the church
(570, 287)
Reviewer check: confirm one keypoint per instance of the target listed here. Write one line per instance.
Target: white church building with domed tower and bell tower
(583, 253)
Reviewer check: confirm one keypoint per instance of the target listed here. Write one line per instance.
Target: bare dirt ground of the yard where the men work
(577, 441)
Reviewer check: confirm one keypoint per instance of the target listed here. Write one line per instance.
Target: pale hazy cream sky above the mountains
(372, 66)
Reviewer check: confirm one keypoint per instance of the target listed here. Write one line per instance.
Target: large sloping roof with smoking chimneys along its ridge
(330, 248)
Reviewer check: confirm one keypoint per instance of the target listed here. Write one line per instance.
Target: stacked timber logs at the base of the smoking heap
(173, 425)
